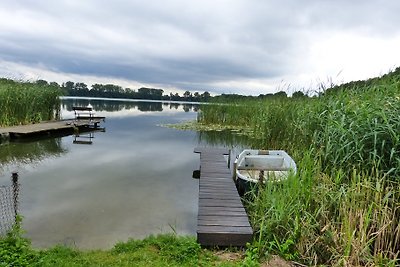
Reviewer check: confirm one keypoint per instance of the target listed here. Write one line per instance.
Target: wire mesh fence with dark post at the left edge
(8, 205)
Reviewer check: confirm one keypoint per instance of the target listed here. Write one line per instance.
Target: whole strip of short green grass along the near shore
(162, 250)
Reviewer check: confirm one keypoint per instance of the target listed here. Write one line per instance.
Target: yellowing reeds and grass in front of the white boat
(316, 219)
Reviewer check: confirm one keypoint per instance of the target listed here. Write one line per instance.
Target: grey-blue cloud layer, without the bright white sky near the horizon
(182, 43)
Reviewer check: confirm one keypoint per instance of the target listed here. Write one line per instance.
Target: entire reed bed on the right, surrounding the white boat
(343, 207)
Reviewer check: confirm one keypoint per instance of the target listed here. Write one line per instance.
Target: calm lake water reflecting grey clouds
(132, 181)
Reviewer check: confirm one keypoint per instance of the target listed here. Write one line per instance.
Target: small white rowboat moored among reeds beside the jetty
(253, 166)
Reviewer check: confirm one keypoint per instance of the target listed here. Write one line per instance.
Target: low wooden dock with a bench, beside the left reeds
(46, 128)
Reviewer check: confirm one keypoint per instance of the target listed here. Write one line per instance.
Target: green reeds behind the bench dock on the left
(24, 103)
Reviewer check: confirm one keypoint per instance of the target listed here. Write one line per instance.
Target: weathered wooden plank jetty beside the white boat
(222, 219)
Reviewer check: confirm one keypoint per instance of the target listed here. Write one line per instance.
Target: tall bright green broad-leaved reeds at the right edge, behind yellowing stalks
(361, 130)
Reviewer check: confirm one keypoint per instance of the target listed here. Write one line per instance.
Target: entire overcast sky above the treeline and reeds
(223, 46)
